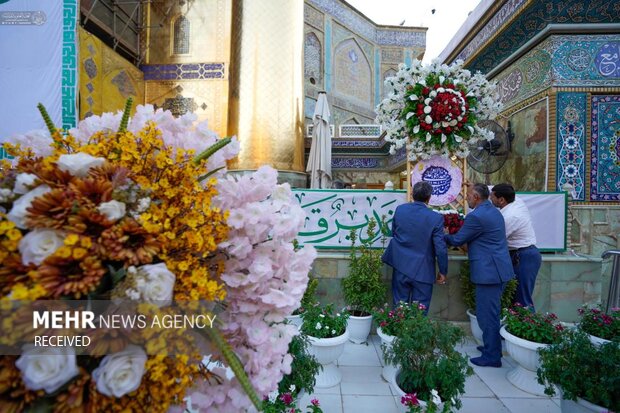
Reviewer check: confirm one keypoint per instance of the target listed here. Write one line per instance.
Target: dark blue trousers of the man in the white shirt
(526, 263)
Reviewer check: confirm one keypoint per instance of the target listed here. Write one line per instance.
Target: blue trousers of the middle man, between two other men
(488, 298)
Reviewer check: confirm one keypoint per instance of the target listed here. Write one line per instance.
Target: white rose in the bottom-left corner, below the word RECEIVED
(47, 368)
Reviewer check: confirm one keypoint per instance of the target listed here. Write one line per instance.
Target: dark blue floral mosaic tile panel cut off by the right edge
(605, 148)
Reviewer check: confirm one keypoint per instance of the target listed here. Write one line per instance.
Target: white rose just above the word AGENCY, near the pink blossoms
(157, 285)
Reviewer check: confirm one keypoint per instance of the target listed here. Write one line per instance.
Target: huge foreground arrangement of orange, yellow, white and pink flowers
(126, 209)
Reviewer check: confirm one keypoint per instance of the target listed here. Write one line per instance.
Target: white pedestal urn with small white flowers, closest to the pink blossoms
(327, 332)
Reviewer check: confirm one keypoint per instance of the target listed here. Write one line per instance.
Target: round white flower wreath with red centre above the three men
(434, 109)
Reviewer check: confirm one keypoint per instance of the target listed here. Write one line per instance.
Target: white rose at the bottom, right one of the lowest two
(120, 373)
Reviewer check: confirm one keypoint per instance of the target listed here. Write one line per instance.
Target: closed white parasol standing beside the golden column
(320, 160)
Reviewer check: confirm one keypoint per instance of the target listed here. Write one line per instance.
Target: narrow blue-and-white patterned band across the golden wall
(184, 71)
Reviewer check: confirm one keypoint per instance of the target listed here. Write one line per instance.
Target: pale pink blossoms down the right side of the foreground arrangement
(265, 279)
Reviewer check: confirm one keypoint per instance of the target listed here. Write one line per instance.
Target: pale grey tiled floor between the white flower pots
(363, 390)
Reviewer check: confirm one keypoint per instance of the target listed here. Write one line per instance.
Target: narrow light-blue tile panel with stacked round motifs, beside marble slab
(571, 142)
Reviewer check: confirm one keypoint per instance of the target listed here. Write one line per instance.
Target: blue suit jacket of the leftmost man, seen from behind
(417, 238)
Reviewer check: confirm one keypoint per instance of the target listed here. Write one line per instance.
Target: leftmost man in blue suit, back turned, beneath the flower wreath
(417, 238)
